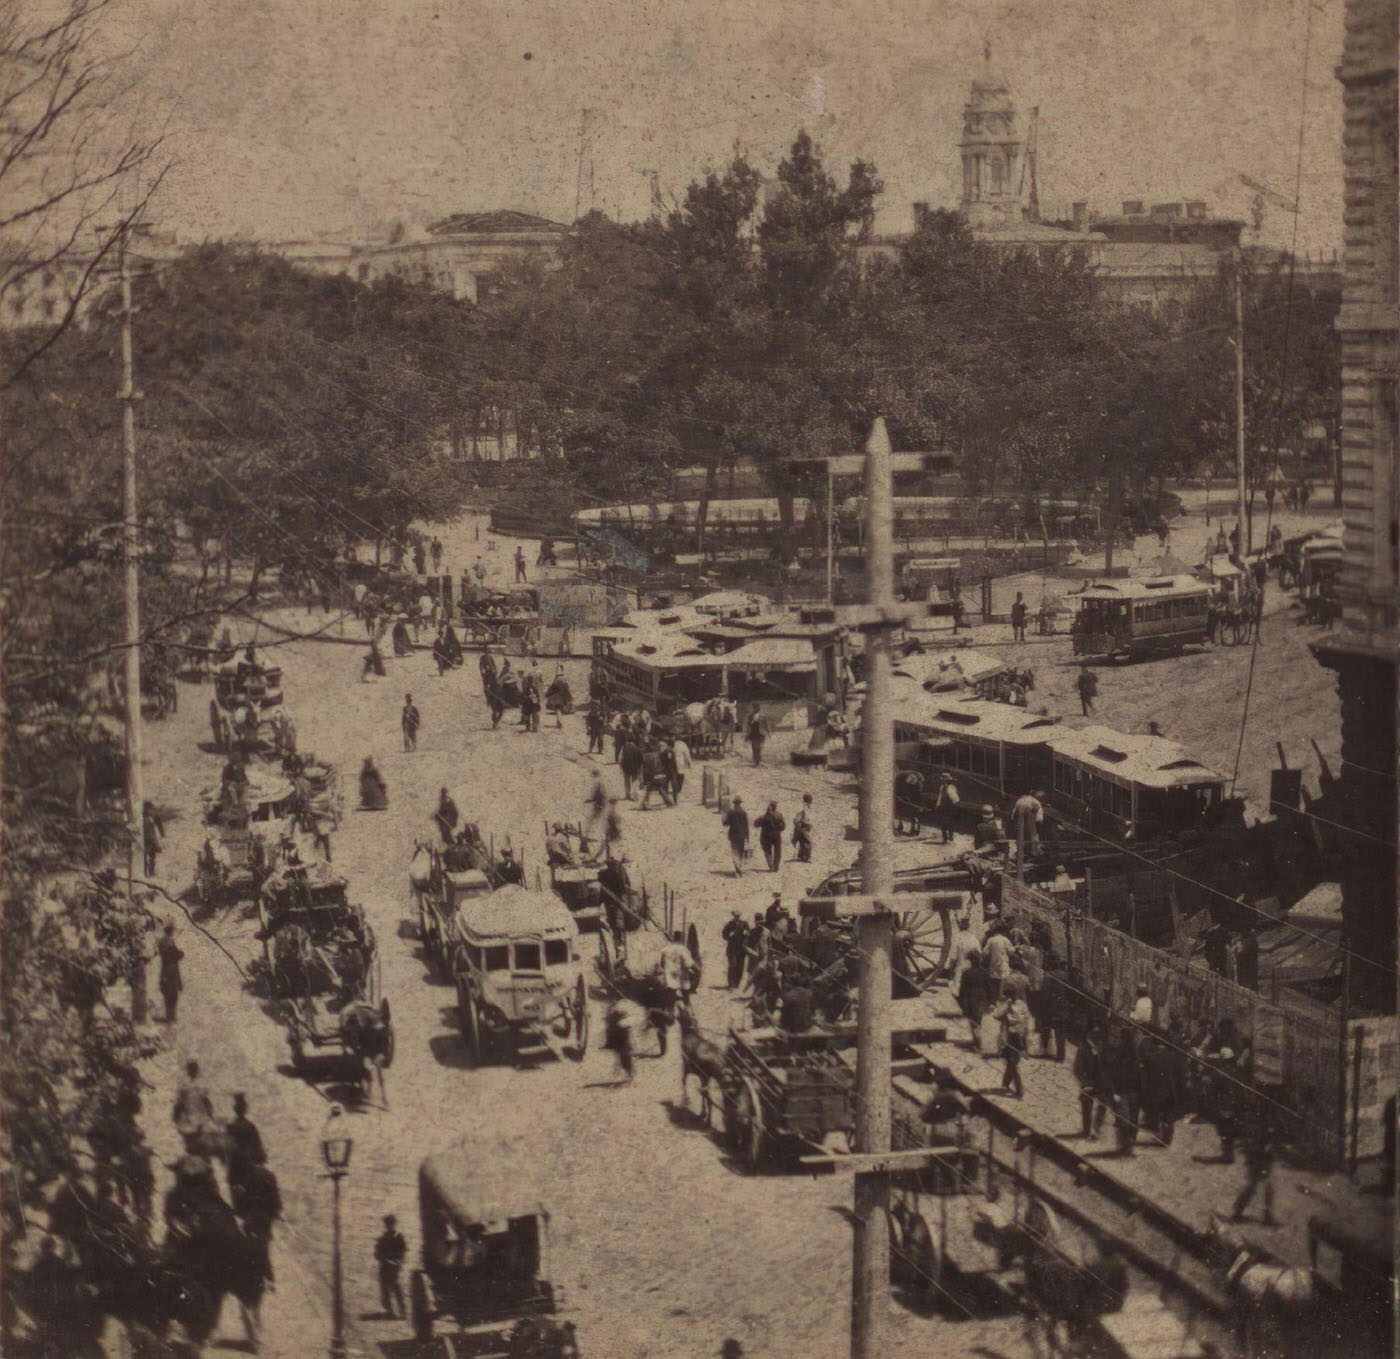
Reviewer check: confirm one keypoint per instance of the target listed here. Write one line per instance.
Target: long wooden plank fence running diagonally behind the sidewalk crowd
(1301, 1052)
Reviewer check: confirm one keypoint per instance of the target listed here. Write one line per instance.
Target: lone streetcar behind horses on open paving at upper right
(1135, 619)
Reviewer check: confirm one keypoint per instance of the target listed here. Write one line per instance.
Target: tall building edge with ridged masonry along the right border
(1364, 649)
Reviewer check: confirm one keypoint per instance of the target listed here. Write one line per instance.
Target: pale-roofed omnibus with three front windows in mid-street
(520, 980)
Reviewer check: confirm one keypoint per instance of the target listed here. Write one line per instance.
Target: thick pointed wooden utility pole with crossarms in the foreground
(874, 933)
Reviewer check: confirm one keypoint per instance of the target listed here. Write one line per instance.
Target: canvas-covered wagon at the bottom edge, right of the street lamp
(484, 1259)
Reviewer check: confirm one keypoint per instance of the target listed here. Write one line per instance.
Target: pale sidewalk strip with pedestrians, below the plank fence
(1186, 1179)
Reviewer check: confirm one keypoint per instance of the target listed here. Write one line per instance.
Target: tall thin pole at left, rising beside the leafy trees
(132, 561)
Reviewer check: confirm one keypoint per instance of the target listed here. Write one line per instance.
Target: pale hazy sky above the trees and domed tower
(331, 118)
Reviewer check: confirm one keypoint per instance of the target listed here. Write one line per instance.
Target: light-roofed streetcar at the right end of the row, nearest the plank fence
(1130, 787)
